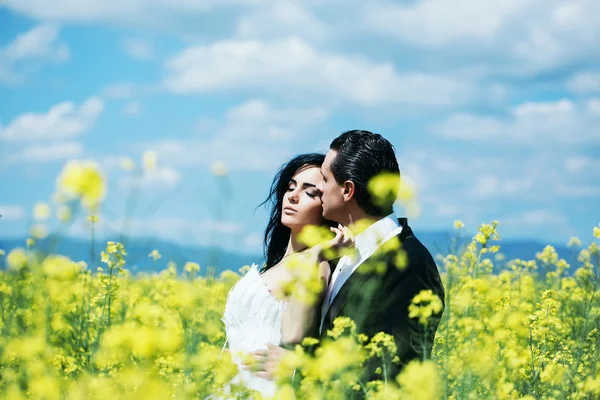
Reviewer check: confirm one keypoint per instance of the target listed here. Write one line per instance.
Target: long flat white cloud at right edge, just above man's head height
(543, 123)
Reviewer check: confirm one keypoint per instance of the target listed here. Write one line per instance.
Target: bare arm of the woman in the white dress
(299, 318)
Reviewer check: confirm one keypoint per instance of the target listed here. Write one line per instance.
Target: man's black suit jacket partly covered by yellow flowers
(378, 302)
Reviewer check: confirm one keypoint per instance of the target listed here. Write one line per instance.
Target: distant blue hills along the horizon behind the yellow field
(139, 248)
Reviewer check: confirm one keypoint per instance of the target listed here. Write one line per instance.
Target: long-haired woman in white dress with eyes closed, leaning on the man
(256, 316)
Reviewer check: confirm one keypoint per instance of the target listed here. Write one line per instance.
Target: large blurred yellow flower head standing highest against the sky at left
(83, 180)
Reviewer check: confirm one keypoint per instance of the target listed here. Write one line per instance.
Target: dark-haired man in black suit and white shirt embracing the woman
(376, 287)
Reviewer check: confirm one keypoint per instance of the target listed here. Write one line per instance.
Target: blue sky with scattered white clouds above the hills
(493, 107)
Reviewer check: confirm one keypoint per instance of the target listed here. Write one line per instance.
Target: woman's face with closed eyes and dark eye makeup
(302, 202)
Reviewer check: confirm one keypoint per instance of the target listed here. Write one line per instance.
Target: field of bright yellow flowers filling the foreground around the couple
(75, 331)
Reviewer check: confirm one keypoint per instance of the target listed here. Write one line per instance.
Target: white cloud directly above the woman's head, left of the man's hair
(253, 136)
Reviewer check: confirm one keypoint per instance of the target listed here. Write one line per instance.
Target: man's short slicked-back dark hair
(361, 156)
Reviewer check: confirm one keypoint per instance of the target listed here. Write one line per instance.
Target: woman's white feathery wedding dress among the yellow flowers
(252, 319)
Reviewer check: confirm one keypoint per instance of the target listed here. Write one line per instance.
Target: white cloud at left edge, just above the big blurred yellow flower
(62, 121)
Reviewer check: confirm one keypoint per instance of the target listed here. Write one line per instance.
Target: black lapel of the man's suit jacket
(358, 279)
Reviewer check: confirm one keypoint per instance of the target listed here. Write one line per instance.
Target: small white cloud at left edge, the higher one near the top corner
(40, 44)
